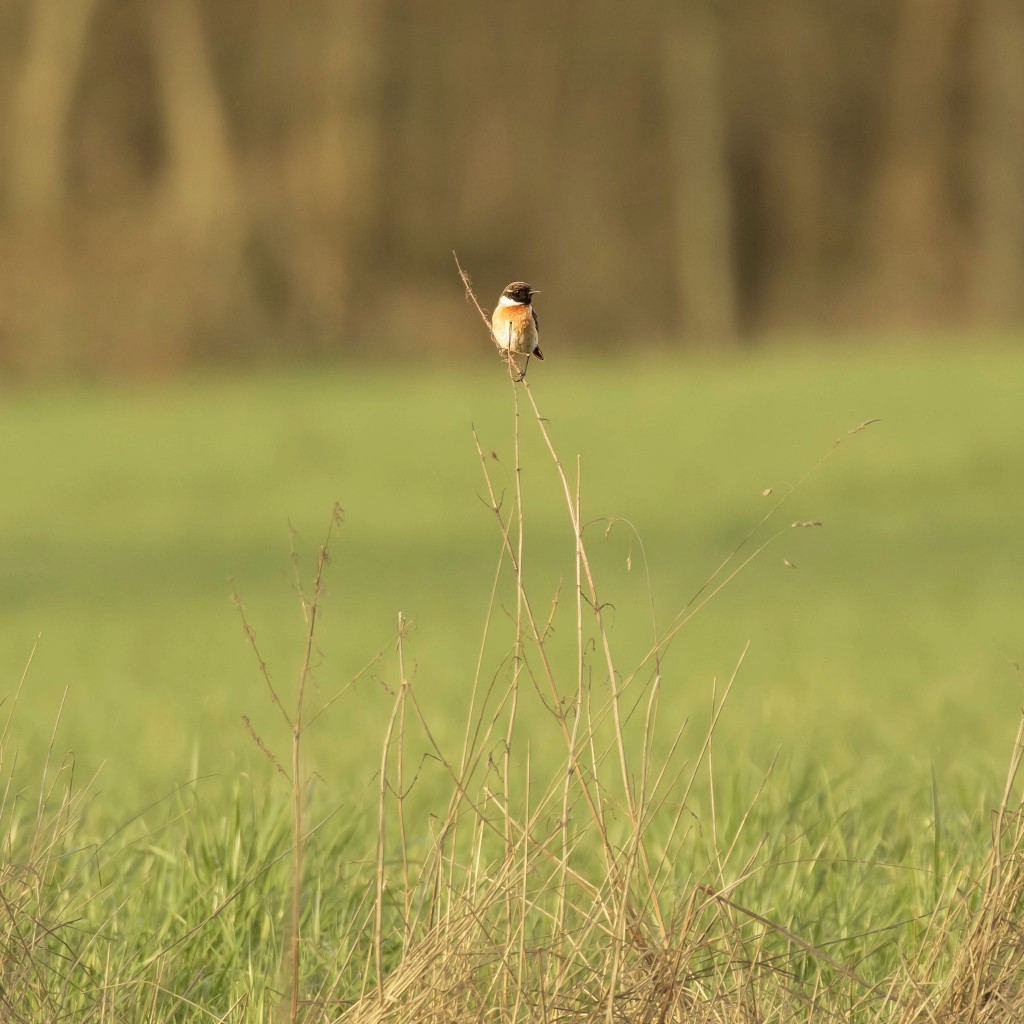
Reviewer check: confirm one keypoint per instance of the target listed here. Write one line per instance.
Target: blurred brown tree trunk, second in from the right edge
(912, 244)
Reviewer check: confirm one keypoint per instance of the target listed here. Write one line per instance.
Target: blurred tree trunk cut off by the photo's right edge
(998, 285)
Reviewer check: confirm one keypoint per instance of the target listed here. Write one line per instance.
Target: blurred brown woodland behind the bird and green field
(188, 181)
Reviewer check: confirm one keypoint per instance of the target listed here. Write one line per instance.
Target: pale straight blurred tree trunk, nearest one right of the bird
(703, 259)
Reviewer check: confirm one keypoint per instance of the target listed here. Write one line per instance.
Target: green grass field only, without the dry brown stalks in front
(881, 661)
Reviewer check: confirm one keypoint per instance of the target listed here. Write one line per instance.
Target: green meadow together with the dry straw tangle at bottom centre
(845, 802)
